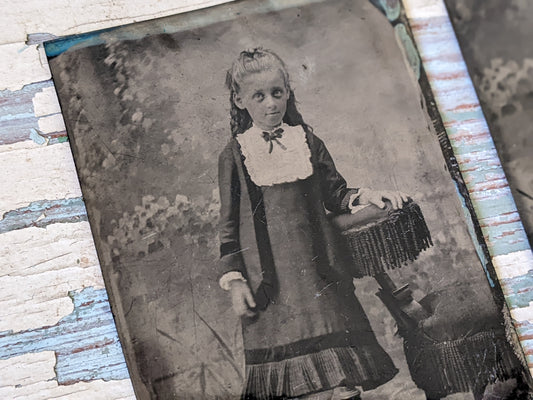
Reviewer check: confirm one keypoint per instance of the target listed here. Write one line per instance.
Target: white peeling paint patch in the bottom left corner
(32, 377)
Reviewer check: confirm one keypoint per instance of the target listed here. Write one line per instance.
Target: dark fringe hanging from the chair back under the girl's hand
(389, 243)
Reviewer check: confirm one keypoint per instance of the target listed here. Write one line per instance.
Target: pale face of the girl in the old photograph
(264, 95)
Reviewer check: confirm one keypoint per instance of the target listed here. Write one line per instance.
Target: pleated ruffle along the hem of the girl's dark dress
(316, 372)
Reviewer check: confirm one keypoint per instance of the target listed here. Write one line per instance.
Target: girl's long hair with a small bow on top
(253, 61)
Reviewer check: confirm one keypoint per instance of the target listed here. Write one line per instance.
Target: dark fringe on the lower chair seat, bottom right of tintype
(443, 368)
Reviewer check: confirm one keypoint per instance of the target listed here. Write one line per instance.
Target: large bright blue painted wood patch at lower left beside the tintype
(85, 342)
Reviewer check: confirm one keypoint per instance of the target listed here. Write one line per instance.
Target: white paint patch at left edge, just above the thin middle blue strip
(34, 174)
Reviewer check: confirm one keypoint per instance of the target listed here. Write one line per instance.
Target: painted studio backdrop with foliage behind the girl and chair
(147, 119)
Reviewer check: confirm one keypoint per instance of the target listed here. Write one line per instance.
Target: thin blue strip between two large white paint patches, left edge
(43, 213)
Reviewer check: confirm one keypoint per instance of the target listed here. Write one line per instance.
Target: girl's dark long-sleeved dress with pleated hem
(310, 332)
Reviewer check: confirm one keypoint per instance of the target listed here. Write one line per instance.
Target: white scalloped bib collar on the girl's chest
(281, 165)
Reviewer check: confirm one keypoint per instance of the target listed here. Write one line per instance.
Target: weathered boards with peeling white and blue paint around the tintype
(57, 336)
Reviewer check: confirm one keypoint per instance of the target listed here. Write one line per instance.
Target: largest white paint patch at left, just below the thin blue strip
(38, 267)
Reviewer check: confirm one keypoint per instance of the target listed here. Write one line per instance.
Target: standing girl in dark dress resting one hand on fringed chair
(305, 333)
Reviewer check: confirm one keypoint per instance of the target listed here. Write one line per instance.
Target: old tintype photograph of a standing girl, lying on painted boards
(277, 210)
